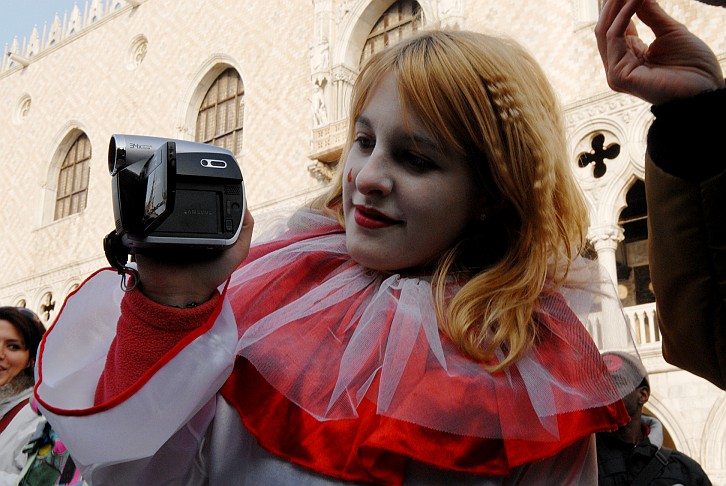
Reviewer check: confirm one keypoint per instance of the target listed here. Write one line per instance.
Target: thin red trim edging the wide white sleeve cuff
(144, 378)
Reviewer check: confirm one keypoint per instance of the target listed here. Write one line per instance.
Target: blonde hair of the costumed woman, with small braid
(489, 101)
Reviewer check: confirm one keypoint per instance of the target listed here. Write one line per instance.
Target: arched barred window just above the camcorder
(221, 115)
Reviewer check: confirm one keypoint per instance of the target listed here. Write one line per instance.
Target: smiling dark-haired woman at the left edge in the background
(20, 334)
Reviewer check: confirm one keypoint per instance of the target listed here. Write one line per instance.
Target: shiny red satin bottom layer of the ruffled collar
(373, 448)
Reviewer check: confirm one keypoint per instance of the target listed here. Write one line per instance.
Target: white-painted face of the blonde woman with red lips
(405, 198)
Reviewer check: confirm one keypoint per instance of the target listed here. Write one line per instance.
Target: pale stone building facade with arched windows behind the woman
(270, 79)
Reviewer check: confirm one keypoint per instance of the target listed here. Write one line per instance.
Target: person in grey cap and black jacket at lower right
(634, 453)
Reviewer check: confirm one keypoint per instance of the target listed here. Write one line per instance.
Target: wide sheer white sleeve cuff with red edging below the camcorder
(174, 398)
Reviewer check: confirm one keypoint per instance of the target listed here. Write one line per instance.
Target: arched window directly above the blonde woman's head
(401, 20)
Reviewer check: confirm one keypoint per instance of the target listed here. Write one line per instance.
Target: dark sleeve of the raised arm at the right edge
(685, 182)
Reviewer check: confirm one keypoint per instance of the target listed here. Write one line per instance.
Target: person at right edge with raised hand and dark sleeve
(685, 175)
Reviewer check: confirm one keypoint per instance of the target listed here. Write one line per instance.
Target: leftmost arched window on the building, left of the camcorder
(72, 187)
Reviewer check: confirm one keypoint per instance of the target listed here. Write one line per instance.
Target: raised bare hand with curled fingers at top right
(677, 64)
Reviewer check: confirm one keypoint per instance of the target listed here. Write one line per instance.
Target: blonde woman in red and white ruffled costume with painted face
(412, 326)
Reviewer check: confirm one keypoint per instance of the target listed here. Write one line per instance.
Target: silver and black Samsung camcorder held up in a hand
(172, 197)
